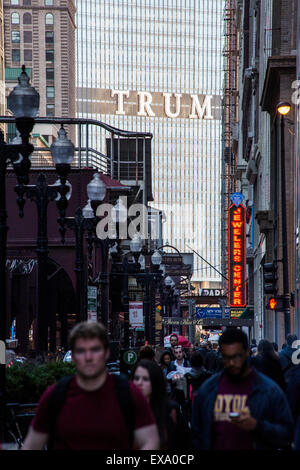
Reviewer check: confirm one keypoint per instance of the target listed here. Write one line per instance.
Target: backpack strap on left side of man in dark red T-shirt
(55, 404)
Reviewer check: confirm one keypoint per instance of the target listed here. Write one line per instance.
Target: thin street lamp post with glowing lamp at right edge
(283, 109)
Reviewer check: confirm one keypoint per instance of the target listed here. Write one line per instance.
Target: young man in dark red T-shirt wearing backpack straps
(92, 410)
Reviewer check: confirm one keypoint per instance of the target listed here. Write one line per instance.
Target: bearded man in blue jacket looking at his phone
(240, 408)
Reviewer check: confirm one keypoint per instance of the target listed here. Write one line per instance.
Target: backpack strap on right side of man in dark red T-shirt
(125, 401)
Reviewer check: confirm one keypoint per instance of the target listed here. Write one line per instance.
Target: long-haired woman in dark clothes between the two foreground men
(173, 431)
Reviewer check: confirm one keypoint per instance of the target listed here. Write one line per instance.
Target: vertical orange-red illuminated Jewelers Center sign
(237, 256)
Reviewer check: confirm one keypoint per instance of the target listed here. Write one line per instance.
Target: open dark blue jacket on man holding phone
(268, 405)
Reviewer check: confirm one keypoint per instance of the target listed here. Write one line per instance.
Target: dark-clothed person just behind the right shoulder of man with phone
(267, 362)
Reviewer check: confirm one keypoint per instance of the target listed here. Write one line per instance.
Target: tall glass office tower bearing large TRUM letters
(156, 66)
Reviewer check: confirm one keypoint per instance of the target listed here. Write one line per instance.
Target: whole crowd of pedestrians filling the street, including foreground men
(225, 395)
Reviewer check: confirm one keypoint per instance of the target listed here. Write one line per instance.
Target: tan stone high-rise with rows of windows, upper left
(41, 35)
